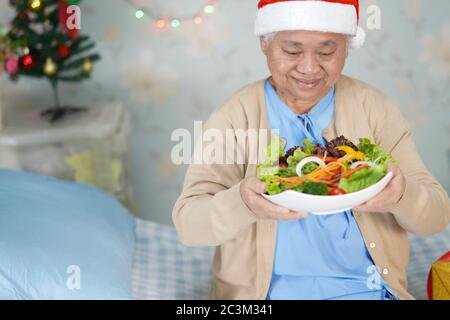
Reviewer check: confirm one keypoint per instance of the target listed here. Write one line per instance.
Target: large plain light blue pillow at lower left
(62, 240)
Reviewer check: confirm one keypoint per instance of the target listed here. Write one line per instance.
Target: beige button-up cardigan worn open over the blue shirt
(210, 211)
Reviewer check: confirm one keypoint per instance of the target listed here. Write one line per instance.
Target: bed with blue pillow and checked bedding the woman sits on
(63, 240)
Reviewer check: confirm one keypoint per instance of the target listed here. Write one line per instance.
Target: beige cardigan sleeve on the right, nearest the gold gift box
(424, 209)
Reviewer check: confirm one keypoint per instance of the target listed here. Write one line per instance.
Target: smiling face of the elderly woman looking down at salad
(304, 64)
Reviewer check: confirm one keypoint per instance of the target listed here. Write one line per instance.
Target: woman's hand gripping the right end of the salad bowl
(387, 199)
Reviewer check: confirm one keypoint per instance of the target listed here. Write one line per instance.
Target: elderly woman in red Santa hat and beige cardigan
(266, 251)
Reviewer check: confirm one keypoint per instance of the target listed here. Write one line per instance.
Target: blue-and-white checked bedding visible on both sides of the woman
(165, 269)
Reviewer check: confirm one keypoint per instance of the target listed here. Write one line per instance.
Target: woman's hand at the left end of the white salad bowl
(251, 190)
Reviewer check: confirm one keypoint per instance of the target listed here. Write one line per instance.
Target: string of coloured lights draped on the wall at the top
(162, 23)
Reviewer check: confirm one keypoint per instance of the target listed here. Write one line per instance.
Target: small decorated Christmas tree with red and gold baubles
(43, 41)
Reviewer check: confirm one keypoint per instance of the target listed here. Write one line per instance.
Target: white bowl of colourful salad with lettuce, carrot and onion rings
(324, 179)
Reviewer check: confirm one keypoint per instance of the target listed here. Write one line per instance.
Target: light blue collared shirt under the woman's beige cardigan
(320, 257)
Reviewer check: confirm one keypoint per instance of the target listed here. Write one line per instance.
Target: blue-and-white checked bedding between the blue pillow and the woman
(165, 269)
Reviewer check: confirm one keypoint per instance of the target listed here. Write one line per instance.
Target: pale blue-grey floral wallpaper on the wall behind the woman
(168, 79)
